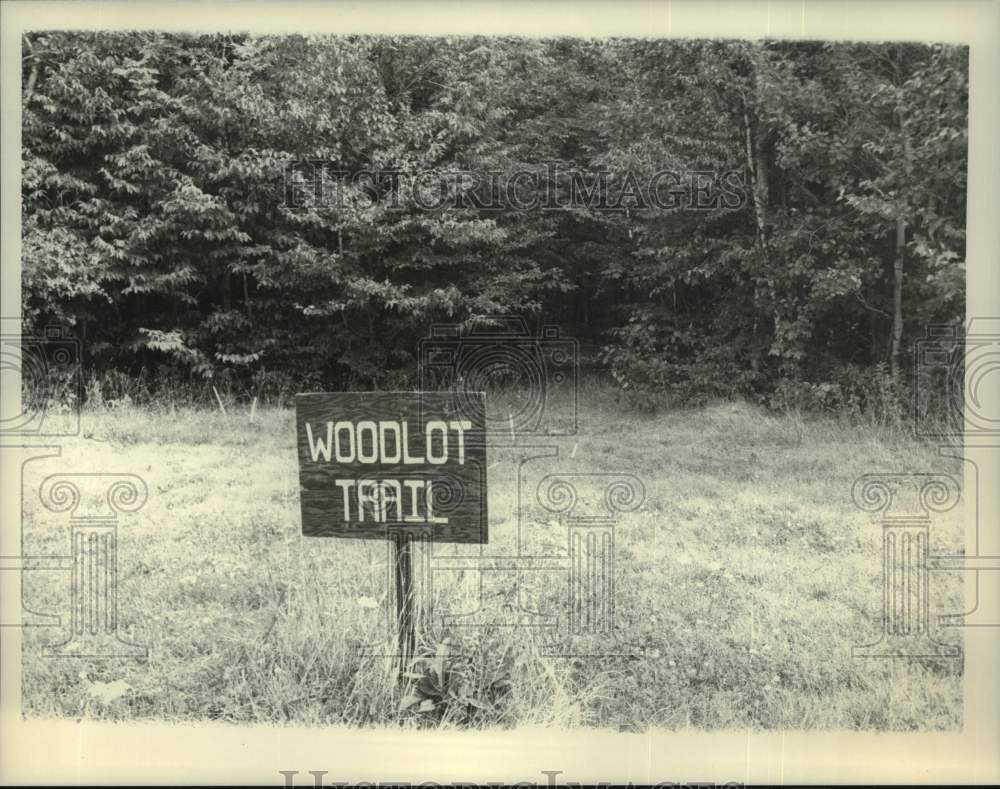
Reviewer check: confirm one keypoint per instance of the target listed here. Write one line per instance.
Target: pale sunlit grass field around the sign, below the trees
(742, 582)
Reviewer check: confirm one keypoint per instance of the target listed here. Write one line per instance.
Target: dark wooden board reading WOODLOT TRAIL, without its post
(374, 464)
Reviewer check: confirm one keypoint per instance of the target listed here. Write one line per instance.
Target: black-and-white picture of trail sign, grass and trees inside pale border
(473, 383)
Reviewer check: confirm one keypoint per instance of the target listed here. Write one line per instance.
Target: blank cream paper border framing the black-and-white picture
(86, 751)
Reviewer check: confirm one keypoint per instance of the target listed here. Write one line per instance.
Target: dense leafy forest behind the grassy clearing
(171, 221)
